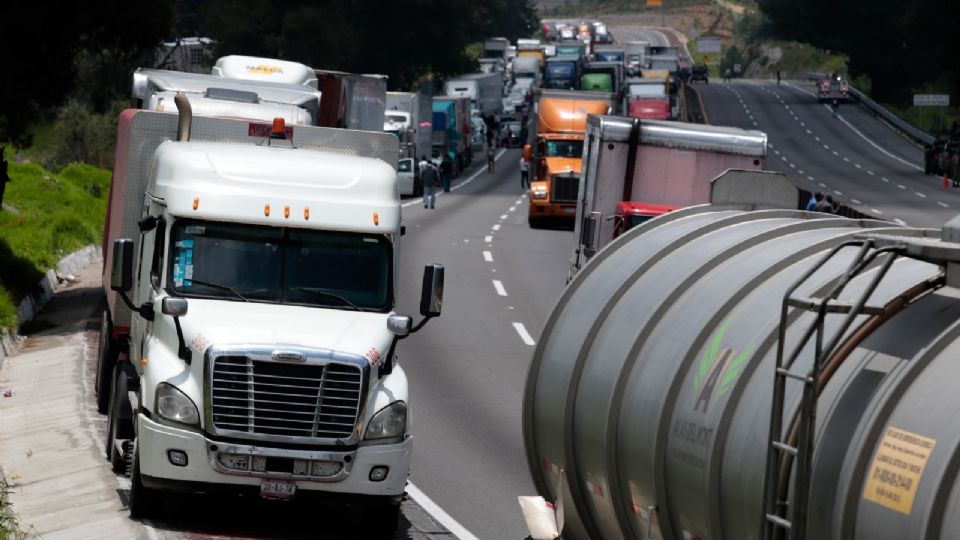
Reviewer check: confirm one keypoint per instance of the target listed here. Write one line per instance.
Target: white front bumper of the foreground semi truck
(203, 472)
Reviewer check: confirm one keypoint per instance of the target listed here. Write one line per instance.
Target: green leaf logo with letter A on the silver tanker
(718, 370)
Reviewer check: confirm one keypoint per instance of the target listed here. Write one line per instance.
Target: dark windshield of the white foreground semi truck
(281, 265)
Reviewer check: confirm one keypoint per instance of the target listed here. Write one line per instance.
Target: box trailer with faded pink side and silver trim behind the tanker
(635, 169)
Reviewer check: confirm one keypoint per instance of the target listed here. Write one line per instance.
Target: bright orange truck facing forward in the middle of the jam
(560, 121)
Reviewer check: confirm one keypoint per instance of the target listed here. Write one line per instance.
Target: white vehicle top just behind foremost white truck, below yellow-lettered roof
(212, 95)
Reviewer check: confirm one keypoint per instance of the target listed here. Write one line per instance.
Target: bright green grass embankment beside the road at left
(52, 215)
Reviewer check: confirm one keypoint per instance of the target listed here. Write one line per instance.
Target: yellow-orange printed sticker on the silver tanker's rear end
(897, 468)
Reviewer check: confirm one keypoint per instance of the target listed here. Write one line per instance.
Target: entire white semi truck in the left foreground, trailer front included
(251, 327)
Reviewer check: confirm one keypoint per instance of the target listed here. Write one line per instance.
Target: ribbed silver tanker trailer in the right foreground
(745, 370)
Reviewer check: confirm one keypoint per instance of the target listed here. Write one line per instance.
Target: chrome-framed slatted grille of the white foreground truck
(261, 398)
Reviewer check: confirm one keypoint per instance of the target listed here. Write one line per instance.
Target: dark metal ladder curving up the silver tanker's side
(785, 515)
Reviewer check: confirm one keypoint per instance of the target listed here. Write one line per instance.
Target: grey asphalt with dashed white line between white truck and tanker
(467, 368)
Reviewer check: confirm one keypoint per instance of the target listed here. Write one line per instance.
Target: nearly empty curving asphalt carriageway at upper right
(857, 158)
